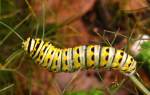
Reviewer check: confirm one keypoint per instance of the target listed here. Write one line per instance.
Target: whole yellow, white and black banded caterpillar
(80, 57)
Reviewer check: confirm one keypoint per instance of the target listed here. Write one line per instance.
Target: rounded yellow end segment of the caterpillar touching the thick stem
(129, 67)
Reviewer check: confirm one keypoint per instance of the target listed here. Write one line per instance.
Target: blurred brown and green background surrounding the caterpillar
(123, 24)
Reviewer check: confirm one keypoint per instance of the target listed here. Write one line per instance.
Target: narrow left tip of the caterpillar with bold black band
(28, 45)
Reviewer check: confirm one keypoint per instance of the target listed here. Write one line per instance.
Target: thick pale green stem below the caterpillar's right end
(139, 85)
